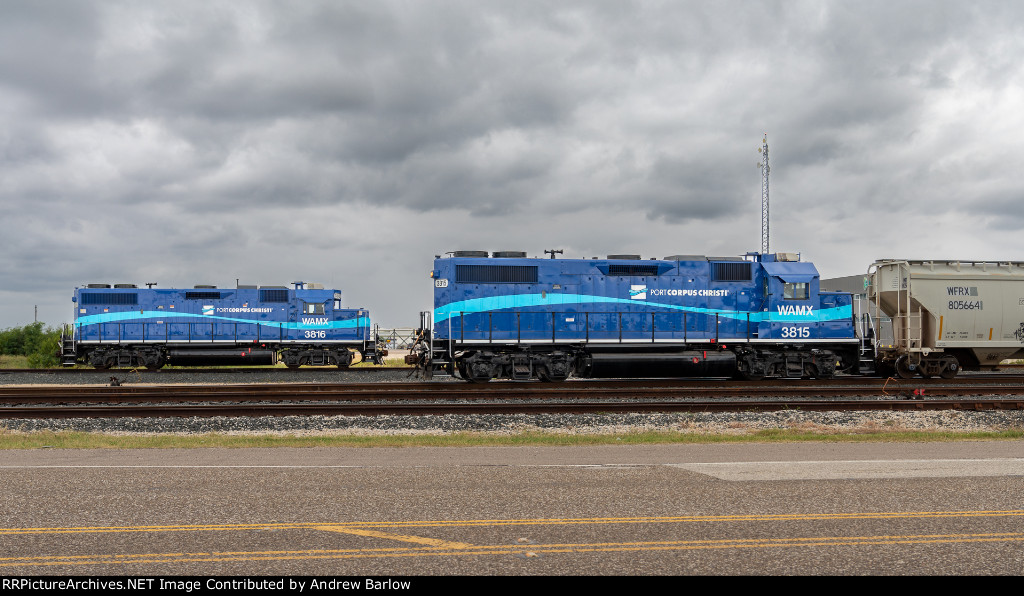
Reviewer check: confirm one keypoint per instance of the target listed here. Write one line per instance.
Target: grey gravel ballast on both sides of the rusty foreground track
(704, 423)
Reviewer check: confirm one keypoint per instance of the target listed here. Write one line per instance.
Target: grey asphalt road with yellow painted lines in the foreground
(730, 509)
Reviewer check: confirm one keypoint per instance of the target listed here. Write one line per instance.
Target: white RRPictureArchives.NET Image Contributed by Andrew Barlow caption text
(188, 585)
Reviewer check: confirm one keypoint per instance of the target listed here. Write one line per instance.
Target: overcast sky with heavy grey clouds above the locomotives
(349, 143)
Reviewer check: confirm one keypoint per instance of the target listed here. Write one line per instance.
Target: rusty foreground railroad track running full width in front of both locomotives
(458, 398)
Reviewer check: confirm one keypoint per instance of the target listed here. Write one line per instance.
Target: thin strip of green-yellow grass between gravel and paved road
(14, 440)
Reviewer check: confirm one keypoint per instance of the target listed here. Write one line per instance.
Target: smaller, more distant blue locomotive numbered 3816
(126, 326)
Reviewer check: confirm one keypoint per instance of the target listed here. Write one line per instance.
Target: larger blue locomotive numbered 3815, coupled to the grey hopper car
(505, 316)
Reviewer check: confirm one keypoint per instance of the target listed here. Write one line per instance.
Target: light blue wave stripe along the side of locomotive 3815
(579, 302)
